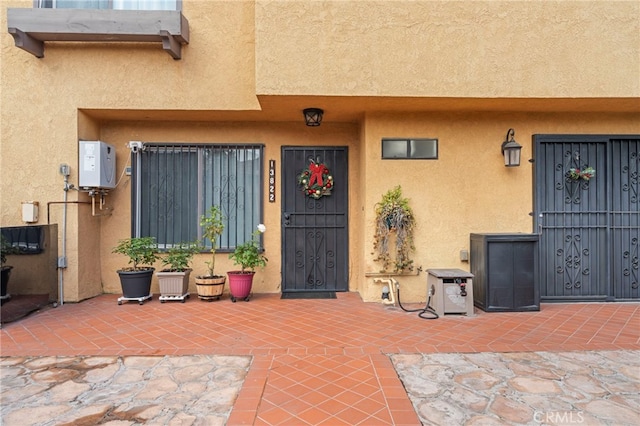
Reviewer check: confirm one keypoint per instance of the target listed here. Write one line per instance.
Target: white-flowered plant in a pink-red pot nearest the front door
(248, 256)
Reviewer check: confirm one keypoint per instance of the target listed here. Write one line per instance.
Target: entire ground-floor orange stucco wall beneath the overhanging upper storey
(467, 189)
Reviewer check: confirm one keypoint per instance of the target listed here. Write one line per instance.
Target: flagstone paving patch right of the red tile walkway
(533, 388)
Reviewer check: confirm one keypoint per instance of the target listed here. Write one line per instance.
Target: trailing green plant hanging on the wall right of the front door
(394, 215)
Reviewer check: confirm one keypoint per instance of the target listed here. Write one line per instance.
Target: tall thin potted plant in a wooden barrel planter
(211, 286)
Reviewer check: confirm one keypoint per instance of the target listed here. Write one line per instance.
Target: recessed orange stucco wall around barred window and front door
(273, 135)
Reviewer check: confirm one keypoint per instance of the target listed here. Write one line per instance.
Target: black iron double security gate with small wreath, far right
(589, 221)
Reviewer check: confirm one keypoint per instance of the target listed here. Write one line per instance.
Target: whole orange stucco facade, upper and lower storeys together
(462, 72)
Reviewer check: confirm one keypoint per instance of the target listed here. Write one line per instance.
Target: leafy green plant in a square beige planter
(173, 280)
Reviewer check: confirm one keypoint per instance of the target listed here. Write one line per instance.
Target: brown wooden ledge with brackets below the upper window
(31, 28)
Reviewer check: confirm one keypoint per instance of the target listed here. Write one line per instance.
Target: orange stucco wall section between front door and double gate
(468, 189)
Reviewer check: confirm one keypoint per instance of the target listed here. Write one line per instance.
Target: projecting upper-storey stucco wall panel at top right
(481, 49)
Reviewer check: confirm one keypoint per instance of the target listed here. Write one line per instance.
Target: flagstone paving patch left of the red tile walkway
(85, 391)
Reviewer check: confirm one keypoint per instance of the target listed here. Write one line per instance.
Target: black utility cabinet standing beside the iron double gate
(505, 267)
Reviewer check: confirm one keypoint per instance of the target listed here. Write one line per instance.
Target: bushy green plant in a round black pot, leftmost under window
(136, 279)
